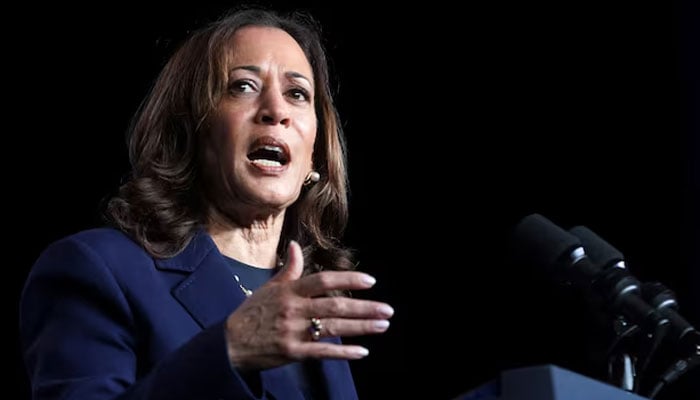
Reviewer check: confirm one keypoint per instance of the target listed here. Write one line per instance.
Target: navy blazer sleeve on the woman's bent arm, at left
(80, 339)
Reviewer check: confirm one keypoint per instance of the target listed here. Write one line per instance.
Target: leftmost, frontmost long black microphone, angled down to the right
(539, 241)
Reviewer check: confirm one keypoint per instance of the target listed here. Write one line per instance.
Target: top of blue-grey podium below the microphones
(546, 382)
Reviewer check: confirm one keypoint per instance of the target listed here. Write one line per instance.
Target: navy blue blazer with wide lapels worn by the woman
(102, 319)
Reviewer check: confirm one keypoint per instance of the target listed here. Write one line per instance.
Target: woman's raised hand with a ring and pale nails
(274, 325)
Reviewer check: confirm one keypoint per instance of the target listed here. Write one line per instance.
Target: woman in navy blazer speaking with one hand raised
(221, 275)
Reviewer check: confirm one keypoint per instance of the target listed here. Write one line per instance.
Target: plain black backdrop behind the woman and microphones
(460, 121)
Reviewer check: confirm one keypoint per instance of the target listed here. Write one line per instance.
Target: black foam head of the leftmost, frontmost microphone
(538, 241)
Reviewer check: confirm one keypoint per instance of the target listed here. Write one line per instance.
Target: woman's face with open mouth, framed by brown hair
(259, 149)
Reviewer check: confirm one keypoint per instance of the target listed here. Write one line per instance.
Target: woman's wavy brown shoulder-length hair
(159, 205)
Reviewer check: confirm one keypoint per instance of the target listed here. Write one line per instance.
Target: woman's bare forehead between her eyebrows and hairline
(267, 46)
